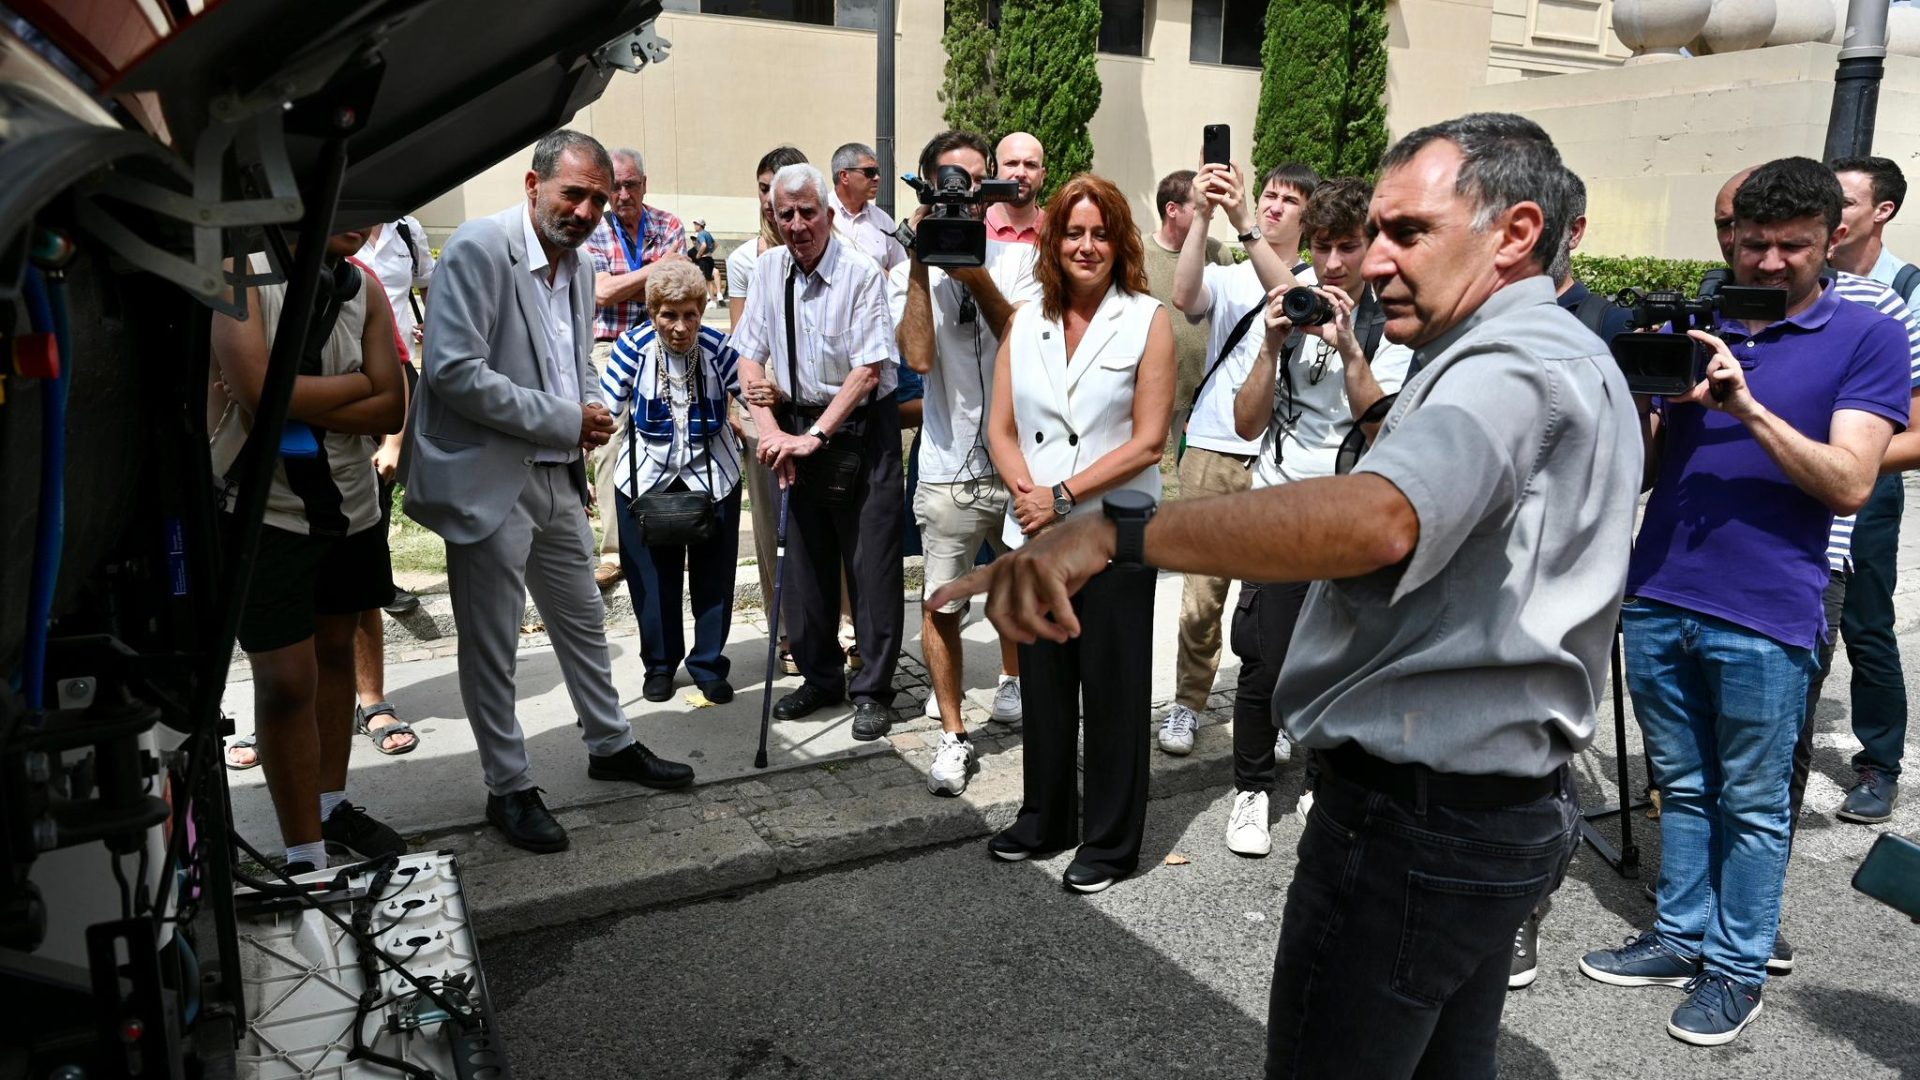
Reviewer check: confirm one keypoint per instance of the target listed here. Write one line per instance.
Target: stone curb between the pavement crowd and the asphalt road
(708, 848)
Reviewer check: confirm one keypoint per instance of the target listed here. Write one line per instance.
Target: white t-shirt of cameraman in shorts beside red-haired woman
(953, 445)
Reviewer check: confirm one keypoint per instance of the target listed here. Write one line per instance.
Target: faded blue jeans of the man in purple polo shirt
(1721, 708)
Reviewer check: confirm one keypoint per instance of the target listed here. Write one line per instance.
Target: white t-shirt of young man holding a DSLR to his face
(1307, 441)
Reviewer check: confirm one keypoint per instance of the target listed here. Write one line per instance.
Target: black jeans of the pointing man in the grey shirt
(1399, 931)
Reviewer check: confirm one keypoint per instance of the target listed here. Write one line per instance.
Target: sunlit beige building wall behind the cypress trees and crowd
(736, 87)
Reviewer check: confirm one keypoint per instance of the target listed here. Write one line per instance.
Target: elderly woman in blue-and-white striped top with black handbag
(669, 380)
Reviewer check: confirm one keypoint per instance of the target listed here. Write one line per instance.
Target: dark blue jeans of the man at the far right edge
(1867, 627)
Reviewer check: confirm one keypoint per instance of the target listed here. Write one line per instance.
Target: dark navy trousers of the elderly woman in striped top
(654, 579)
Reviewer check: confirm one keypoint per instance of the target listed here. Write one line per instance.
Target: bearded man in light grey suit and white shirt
(508, 406)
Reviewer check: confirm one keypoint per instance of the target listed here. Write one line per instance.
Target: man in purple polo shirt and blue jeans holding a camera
(1723, 595)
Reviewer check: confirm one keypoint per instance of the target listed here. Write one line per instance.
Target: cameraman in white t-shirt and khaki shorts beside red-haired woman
(949, 330)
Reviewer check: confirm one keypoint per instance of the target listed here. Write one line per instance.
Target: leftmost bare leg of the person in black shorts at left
(289, 743)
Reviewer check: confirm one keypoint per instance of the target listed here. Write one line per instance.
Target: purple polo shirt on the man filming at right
(1727, 533)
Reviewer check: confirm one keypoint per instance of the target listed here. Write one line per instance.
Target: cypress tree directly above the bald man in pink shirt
(1049, 80)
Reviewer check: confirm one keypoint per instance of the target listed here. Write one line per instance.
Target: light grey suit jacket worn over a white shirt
(483, 405)
